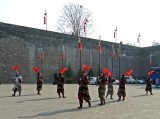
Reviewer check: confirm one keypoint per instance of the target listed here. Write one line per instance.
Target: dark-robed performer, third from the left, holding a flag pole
(60, 85)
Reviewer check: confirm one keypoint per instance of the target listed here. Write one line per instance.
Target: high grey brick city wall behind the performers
(23, 45)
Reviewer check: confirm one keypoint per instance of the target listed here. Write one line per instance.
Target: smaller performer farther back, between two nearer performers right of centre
(110, 87)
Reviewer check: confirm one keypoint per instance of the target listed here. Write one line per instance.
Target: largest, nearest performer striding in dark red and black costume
(83, 92)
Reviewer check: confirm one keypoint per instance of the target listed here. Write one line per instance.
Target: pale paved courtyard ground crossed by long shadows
(48, 106)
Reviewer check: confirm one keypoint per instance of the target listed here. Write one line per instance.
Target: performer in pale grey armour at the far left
(17, 84)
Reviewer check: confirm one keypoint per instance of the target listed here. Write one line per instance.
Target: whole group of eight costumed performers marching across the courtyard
(83, 91)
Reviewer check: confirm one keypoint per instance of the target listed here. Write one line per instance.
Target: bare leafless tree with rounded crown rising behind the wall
(75, 19)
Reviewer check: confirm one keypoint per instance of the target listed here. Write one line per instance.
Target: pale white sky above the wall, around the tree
(130, 17)
